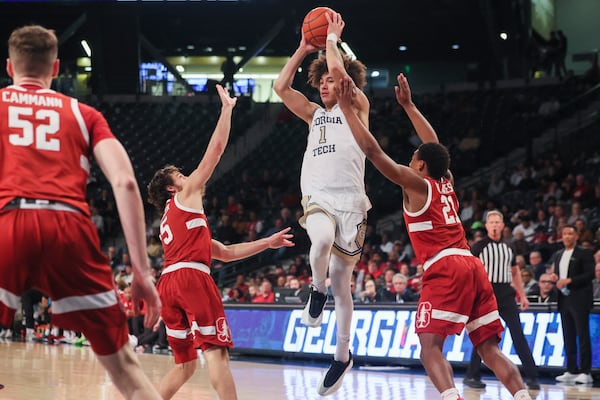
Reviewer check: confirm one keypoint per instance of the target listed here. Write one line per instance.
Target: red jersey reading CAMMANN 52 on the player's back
(46, 142)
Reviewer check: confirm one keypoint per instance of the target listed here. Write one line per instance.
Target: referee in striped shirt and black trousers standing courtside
(499, 260)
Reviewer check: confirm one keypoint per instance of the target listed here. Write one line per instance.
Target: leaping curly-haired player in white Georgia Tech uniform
(333, 190)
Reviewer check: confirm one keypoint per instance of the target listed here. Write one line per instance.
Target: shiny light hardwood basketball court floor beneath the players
(48, 372)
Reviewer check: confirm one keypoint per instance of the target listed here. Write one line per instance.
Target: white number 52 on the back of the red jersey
(47, 123)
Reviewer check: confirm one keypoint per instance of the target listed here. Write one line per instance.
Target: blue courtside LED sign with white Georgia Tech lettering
(387, 333)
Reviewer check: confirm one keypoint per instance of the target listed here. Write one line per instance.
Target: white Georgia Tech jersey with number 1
(333, 168)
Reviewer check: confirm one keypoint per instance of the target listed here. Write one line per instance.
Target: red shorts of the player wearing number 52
(58, 253)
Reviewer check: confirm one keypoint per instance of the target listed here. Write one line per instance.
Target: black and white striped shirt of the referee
(498, 258)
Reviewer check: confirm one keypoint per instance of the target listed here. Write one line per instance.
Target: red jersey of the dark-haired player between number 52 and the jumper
(185, 234)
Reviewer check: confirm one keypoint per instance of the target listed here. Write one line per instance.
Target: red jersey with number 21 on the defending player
(436, 226)
